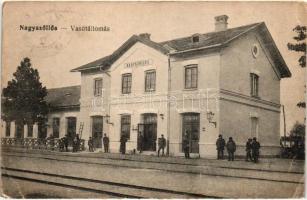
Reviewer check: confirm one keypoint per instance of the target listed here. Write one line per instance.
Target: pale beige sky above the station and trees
(55, 53)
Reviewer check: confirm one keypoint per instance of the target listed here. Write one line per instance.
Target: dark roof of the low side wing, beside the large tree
(64, 97)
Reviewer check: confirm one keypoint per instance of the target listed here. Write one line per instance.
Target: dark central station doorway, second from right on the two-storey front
(150, 132)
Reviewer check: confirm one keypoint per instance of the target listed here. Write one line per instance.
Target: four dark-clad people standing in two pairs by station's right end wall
(252, 149)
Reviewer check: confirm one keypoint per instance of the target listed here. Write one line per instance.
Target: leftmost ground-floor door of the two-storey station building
(97, 128)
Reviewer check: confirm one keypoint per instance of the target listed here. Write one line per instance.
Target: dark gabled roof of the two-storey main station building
(207, 40)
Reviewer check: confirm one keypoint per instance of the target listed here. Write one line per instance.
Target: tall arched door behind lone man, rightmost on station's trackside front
(190, 124)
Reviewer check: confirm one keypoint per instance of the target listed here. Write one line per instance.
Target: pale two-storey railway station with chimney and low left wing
(223, 82)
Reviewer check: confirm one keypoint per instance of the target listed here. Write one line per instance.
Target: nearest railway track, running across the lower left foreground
(114, 189)
